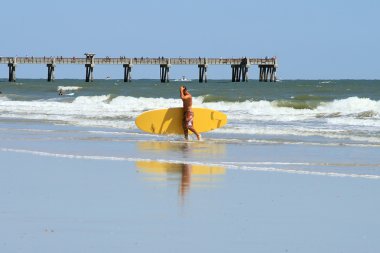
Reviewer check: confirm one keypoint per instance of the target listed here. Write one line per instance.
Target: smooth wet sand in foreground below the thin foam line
(78, 205)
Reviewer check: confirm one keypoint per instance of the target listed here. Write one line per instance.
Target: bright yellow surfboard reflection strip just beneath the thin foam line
(172, 168)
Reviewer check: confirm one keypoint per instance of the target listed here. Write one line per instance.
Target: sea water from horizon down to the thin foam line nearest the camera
(313, 126)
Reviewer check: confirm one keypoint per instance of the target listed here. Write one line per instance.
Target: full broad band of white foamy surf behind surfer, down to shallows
(336, 119)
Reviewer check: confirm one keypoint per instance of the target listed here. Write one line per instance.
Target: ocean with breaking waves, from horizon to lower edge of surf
(338, 112)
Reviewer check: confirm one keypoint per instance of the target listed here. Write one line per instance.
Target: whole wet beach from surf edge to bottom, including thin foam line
(68, 189)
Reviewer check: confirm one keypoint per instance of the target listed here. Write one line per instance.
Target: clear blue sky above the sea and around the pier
(325, 39)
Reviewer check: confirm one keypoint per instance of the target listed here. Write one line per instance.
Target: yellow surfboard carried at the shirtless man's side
(169, 121)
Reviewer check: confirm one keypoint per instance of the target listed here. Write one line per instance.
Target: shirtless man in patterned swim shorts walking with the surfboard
(188, 114)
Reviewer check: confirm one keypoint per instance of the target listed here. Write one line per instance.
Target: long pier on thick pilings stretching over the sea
(239, 66)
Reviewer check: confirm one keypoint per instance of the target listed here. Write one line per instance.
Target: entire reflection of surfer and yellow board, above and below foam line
(185, 173)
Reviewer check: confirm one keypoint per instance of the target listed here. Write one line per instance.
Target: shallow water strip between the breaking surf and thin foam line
(66, 141)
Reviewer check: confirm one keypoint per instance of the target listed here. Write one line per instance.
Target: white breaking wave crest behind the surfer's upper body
(346, 107)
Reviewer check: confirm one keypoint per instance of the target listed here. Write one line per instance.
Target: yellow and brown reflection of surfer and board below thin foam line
(186, 174)
